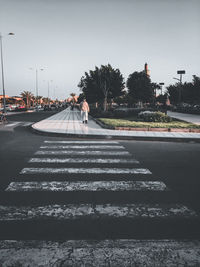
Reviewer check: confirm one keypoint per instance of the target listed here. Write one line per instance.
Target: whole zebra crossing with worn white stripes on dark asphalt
(110, 179)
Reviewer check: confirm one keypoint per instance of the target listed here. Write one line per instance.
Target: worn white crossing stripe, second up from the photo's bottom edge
(75, 211)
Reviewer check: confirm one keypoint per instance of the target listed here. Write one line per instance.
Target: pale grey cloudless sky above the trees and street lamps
(69, 37)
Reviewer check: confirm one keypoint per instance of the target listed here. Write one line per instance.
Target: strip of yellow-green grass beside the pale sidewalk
(129, 122)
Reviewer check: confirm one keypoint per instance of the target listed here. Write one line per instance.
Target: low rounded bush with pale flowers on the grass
(150, 116)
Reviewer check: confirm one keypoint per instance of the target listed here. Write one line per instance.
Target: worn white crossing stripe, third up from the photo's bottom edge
(88, 186)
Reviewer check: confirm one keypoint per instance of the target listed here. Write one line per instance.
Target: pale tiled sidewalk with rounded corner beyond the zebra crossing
(69, 123)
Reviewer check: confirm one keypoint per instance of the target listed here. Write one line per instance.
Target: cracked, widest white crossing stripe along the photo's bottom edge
(112, 253)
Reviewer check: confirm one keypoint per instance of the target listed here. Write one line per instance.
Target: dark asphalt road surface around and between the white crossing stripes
(148, 215)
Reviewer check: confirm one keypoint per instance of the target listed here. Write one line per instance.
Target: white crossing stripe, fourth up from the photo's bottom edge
(86, 170)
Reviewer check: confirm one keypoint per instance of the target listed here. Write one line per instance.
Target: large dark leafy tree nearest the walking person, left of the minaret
(102, 84)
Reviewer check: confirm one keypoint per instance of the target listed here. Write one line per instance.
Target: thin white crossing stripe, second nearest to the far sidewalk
(82, 147)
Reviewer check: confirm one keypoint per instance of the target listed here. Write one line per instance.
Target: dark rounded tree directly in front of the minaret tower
(140, 87)
